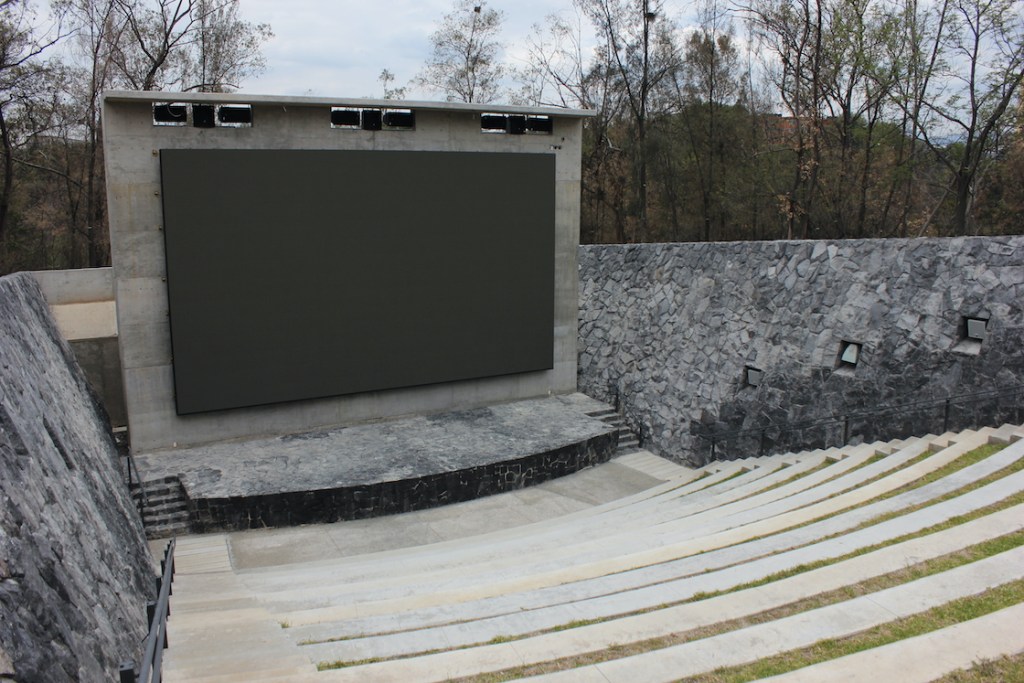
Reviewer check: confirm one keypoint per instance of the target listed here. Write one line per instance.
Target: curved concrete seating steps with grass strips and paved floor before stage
(882, 562)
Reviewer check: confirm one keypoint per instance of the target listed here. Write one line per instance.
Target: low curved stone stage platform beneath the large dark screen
(383, 467)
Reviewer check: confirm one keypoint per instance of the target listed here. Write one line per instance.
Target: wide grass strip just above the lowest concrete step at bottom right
(957, 612)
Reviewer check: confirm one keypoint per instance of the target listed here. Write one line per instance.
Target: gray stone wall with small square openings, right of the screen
(669, 330)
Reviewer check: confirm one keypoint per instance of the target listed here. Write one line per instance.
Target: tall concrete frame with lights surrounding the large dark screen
(133, 143)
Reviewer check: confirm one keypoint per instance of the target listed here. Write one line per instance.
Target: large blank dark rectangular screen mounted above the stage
(297, 275)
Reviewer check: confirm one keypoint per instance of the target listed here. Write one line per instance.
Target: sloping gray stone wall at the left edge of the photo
(75, 573)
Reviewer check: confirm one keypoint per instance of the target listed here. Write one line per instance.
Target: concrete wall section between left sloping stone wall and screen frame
(82, 305)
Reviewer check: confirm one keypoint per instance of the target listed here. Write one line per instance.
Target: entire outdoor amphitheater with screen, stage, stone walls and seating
(793, 461)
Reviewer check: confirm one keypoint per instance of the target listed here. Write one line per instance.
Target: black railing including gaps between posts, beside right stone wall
(890, 421)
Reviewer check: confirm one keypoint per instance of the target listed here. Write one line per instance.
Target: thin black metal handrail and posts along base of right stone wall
(716, 438)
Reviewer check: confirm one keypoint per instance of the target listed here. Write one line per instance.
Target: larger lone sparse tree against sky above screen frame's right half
(465, 62)
